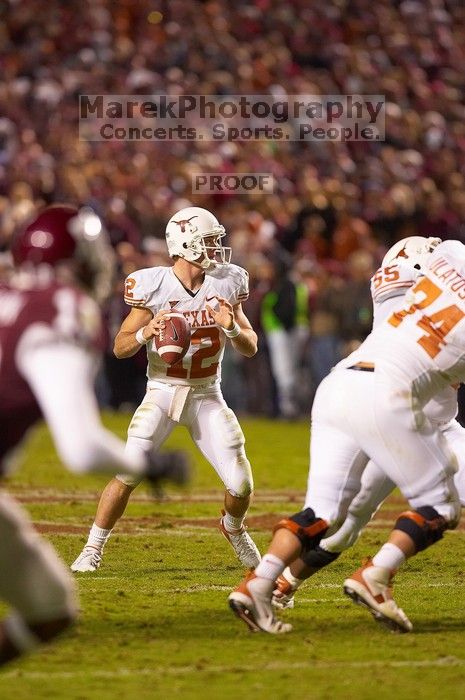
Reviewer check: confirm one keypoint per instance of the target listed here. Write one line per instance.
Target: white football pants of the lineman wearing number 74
(358, 416)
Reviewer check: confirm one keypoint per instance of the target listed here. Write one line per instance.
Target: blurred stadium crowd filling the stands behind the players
(310, 247)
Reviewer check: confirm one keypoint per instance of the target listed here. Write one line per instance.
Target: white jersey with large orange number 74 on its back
(422, 342)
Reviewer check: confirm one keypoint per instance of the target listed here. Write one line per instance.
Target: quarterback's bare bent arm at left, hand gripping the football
(128, 341)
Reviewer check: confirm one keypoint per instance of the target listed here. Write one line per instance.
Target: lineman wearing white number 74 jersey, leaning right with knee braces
(411, 357)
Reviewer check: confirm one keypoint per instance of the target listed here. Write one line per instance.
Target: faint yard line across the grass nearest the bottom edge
(446, 661)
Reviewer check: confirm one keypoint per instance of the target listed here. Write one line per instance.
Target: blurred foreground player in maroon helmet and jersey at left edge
(50, 334)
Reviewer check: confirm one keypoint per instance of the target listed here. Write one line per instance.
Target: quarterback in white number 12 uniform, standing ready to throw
(208, 290)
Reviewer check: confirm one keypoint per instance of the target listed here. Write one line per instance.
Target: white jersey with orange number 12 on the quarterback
(157, 288)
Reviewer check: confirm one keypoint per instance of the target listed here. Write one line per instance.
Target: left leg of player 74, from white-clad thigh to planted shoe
(337, 465)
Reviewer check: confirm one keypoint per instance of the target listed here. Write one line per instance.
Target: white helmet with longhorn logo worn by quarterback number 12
(195, 234)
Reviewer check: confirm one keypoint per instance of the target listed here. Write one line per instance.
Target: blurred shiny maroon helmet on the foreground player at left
(61, 233)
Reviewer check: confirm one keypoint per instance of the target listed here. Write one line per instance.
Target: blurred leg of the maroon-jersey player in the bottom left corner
(34, 582)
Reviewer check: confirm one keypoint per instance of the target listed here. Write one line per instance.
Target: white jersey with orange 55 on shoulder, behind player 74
(387, 285)
